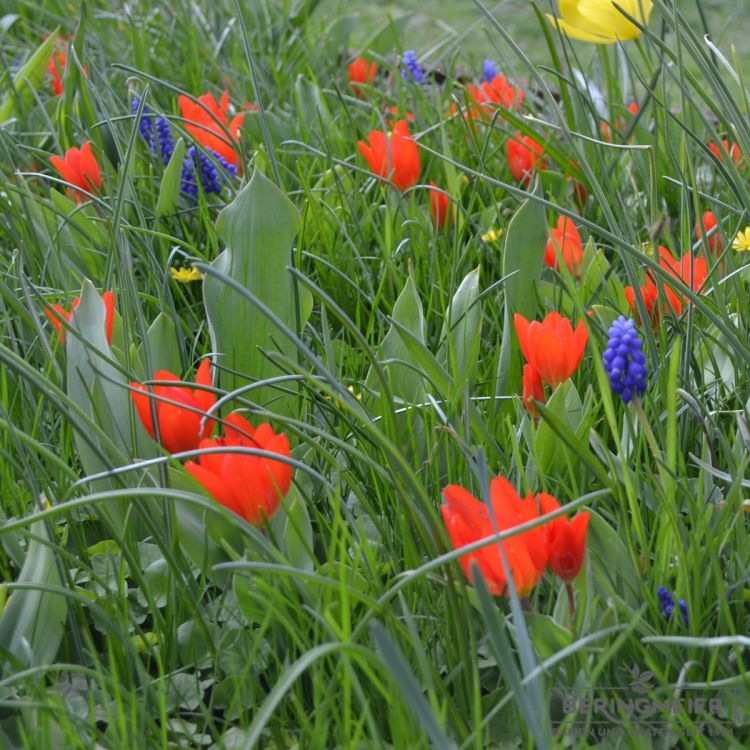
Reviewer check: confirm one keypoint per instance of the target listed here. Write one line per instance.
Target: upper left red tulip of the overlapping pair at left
(179, 409)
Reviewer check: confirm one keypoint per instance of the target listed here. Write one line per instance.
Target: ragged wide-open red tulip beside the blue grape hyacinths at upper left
(208, 122)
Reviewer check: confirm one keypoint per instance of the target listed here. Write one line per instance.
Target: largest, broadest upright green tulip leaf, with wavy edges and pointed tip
(258, 228)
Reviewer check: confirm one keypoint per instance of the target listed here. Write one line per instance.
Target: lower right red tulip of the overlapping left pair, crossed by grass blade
(250, 486)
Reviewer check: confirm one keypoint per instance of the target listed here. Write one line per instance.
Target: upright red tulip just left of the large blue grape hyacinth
(552, 347)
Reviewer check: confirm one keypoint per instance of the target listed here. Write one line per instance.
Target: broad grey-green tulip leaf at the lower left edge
(32, 622)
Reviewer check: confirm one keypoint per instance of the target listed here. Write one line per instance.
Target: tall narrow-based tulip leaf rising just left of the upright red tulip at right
(525, 243)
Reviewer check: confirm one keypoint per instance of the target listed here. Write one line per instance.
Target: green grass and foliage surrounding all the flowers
(141, 613)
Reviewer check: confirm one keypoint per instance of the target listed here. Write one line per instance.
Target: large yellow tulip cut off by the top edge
(599, 21)
